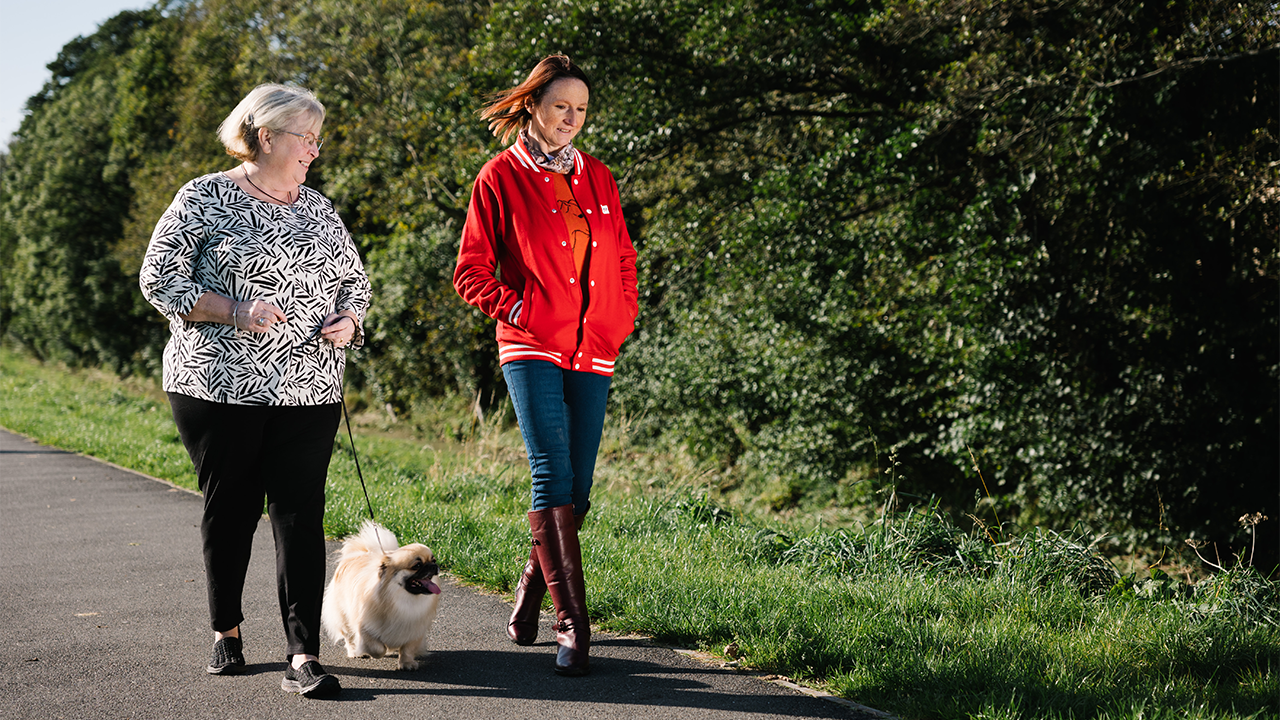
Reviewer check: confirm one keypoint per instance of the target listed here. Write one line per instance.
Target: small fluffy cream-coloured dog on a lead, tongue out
(382, 596)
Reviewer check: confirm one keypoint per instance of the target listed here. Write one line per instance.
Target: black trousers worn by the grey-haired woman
(243, 455)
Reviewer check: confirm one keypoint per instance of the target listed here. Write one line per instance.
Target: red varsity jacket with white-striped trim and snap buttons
(516, 266)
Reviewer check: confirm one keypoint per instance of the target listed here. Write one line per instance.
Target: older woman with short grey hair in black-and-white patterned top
(263, 289)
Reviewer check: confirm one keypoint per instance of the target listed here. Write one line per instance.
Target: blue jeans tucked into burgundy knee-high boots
(561, 416)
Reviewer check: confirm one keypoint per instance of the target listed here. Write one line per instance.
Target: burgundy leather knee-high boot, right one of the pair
(561, 559)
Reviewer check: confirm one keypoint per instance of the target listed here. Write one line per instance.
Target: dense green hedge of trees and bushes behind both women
(1040, 235)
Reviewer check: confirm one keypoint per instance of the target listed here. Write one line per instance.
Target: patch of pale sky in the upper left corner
(33, 34)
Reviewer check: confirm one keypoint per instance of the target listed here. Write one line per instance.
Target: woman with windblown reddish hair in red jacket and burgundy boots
(565, 299)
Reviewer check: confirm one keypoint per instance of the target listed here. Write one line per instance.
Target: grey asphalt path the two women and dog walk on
(103, 599)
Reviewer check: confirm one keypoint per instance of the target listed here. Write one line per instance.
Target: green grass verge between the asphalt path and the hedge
(909, 614)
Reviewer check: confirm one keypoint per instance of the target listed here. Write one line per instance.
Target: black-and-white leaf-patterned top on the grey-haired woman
(216, 238)
